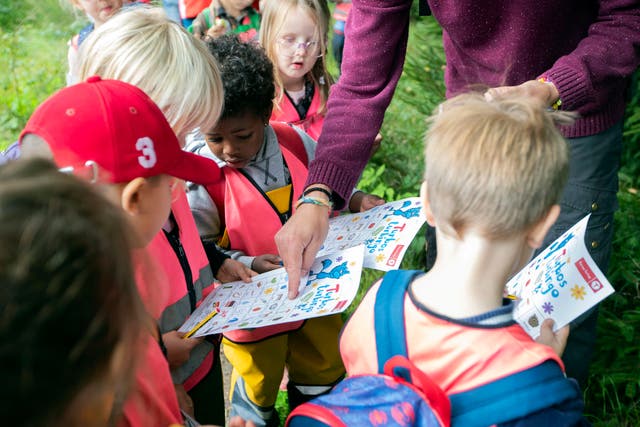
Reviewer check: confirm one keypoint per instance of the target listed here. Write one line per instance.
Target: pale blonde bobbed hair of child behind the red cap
(141, 46)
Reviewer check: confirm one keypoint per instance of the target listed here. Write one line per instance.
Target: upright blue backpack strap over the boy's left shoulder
(388, 315)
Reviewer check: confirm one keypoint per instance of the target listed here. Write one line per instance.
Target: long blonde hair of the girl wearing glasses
(273, 17)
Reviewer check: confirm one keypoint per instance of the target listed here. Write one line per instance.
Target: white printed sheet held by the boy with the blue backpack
(562, 282)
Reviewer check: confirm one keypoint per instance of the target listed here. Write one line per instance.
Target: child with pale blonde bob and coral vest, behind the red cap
(143, 47)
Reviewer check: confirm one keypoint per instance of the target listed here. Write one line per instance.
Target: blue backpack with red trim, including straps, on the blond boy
(402, 395)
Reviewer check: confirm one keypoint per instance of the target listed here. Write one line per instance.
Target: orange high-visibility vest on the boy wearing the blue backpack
(457, 357)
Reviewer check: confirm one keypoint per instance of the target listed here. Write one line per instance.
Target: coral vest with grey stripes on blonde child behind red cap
(179, 304)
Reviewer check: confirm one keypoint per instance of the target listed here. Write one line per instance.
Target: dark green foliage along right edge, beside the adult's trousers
(613, 394)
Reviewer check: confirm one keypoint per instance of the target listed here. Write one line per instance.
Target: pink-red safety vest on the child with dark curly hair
(252, 223)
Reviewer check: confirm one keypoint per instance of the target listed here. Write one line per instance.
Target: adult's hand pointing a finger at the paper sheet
(299, 240)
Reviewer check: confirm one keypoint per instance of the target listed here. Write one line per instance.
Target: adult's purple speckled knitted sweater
(587, 48)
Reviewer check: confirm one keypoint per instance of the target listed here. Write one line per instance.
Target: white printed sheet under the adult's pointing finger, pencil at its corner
(330, 287)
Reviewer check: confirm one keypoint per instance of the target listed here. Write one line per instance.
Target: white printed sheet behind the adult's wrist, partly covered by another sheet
(386, 231)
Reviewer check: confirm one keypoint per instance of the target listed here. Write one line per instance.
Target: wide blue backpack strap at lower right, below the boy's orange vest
(513, 397)
